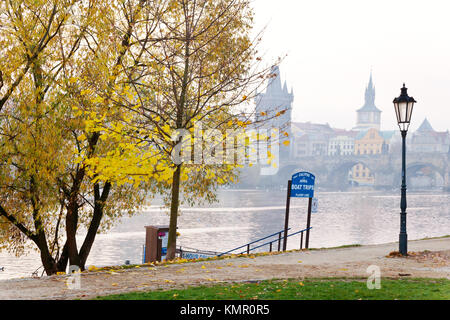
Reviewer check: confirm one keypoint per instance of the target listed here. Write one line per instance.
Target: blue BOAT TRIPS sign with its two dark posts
(300, 186)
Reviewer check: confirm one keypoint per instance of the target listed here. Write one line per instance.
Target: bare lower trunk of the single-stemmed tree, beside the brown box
(172, 241)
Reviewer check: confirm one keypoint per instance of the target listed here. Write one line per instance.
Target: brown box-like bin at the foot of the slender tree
(155, 243)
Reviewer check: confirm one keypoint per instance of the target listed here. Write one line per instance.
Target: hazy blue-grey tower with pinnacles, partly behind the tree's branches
(274, 110)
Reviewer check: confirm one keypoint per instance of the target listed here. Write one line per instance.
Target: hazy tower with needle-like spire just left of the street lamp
(368, 116)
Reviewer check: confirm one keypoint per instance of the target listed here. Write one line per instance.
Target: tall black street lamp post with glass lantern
(403, 109)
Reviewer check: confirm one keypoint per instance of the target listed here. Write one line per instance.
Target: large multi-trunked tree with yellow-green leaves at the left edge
(62, 61)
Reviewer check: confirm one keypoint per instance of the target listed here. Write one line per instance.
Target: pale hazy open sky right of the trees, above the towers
(333, 44)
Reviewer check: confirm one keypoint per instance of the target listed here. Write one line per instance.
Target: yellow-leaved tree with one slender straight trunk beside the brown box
(205, 69)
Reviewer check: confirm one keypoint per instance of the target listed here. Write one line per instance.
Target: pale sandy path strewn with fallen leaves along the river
(429, 259)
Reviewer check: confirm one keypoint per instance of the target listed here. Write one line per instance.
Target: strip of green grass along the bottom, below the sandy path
(311, 289)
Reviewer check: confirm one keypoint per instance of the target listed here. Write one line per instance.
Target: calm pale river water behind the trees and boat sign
(363, 217)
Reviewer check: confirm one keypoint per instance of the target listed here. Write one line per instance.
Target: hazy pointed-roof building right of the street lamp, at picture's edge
(426, 139)
